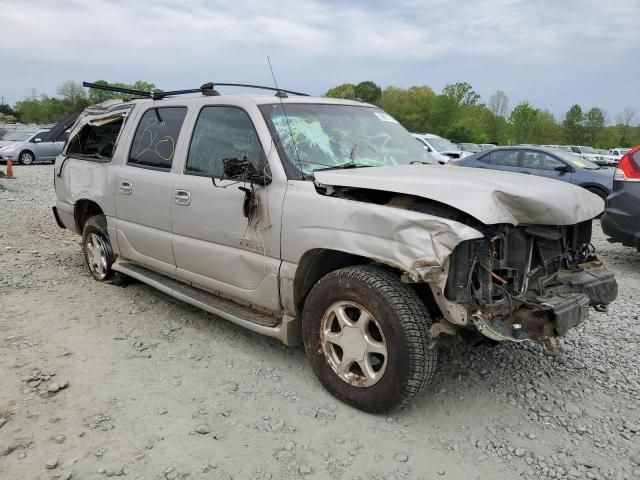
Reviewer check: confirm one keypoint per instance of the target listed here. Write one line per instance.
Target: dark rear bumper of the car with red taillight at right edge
(621, 218)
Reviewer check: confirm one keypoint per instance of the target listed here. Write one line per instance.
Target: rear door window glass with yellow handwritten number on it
(154, 143)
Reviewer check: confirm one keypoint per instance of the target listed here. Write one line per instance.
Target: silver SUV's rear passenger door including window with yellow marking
(143, 190)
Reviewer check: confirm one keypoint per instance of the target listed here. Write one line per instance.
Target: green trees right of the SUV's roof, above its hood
(458, 114)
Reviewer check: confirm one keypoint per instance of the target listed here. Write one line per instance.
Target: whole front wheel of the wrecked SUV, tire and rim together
(365, 334)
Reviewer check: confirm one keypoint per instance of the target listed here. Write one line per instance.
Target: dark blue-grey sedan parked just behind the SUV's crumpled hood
(545, 162)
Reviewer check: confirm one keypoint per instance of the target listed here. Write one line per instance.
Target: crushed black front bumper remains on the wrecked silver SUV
(565, 305)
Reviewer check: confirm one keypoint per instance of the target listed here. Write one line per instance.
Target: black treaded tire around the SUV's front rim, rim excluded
(403, 320)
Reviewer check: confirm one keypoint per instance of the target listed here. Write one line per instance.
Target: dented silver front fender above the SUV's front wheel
(415, 243)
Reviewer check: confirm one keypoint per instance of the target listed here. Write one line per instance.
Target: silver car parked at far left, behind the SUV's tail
(27, 147)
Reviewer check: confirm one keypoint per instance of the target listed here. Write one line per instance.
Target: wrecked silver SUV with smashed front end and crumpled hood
(322, 221)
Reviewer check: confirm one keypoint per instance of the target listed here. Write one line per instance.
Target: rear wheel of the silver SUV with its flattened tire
(98, 252)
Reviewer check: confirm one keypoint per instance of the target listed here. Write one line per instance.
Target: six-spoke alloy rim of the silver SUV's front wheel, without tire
(353, 344)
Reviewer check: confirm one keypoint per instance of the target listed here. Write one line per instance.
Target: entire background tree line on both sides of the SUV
(456, 113)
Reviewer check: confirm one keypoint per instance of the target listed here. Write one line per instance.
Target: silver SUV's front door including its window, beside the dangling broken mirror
(216, 246)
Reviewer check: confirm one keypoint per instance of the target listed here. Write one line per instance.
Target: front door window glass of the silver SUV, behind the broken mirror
(222, 133)
